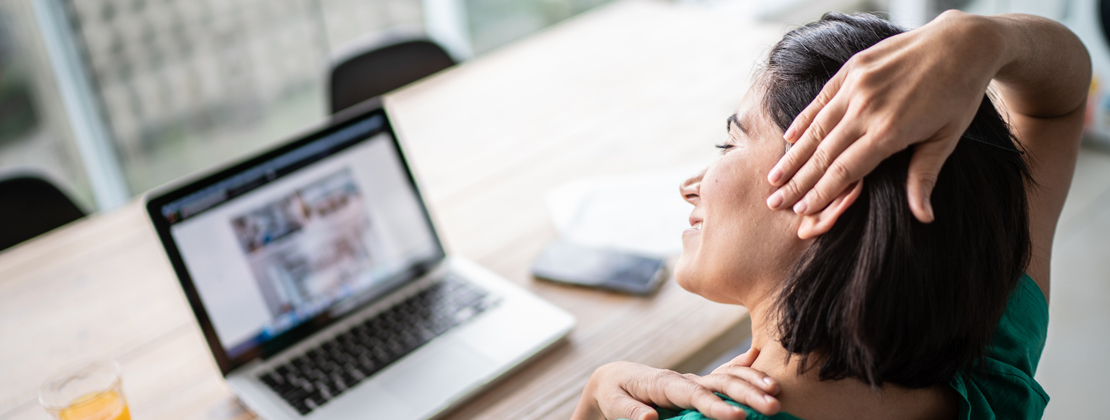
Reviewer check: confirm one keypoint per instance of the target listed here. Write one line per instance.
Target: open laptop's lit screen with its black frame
(296, 239)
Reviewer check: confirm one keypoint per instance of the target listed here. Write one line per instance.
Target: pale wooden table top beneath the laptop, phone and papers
(631, 87)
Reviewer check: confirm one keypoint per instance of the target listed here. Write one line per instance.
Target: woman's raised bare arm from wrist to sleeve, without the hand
(1044, 86)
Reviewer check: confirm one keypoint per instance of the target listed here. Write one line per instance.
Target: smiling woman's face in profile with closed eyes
(738, 249)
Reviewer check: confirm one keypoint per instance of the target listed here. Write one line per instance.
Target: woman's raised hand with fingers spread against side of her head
(921, 88)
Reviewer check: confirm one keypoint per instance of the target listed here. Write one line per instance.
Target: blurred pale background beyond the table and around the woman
(112, 98)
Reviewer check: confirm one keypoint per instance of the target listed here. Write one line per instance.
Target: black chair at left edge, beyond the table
(32, 206)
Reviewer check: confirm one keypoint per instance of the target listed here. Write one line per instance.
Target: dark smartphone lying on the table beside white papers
(621, 272)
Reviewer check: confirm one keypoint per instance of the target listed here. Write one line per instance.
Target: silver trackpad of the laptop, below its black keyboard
(439, 376)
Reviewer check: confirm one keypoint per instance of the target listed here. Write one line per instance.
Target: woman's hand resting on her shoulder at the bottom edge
(625, 391)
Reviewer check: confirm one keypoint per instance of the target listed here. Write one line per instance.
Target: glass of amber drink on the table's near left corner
(86, 391)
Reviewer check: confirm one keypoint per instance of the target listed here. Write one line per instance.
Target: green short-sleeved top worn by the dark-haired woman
(1004, 389)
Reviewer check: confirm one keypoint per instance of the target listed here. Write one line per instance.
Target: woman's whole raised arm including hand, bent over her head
(922, 88)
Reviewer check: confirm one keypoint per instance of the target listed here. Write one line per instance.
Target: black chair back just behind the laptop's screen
(380, 67)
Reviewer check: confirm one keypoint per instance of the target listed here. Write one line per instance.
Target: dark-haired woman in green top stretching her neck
(912, 277)
